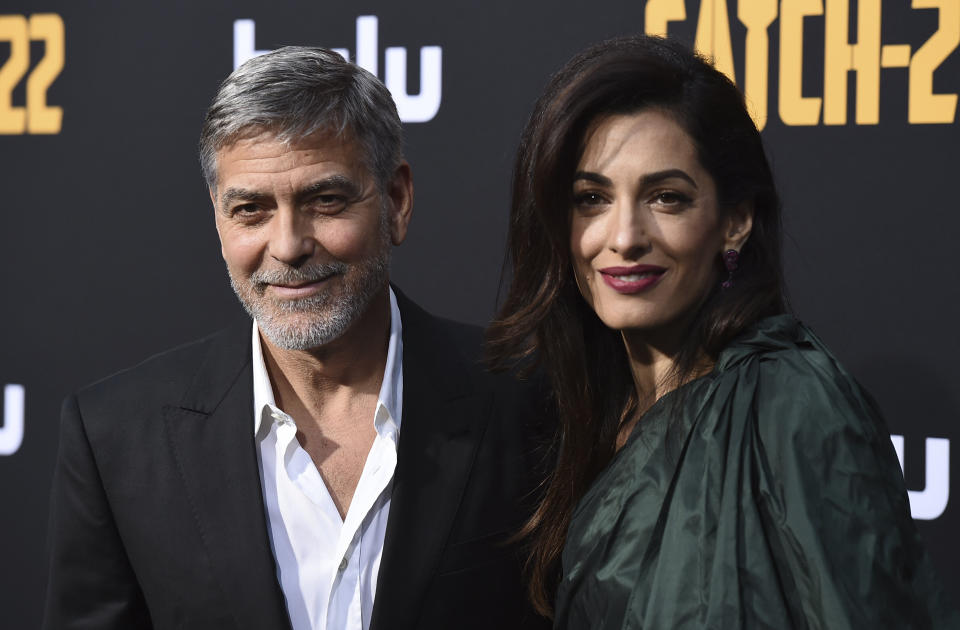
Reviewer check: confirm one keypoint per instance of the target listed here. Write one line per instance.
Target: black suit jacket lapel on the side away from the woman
(211, 437)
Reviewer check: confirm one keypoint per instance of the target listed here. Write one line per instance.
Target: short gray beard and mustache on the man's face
(326, 319)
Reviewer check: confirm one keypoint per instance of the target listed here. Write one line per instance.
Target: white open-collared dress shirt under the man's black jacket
(327, 566)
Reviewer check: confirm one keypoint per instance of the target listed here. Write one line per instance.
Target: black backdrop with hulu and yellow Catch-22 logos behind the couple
(110, 253)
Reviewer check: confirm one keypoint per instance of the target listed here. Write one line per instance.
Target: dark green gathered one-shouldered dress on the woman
(766, 494)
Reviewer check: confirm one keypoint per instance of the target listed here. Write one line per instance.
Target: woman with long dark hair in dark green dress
(714, 466)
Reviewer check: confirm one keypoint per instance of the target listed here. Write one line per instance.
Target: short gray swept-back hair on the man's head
(295, 91)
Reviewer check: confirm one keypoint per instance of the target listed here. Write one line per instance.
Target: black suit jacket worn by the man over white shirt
(157, 516)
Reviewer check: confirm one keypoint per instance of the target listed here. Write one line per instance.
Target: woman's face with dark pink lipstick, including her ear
(646, 231)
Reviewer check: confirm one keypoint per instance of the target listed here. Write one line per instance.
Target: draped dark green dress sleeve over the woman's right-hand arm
(825, 481)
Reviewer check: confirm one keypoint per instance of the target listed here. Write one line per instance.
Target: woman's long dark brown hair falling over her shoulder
(544, 317)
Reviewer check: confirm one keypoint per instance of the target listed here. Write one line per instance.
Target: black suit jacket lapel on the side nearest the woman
(442, 425)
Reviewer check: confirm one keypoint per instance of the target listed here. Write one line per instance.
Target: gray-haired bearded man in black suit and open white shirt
(345, 463)
